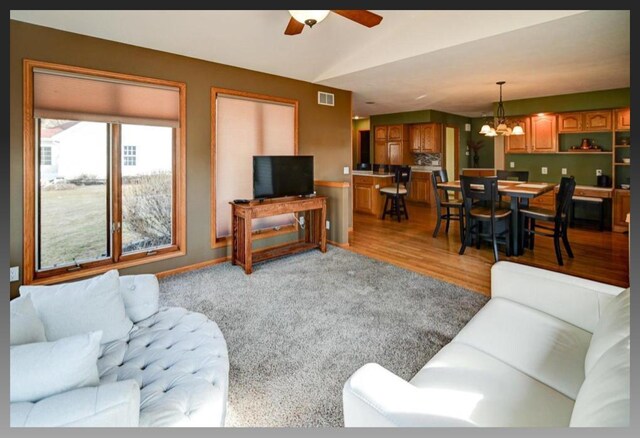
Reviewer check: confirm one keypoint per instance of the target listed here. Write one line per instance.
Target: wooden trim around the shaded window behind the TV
(258, 234)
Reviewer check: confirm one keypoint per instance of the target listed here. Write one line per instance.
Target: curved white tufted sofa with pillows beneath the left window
(169, 369)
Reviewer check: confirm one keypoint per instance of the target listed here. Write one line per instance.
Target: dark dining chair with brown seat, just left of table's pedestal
(481, 206)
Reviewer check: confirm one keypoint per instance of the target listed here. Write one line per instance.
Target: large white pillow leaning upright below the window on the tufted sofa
(80, 307)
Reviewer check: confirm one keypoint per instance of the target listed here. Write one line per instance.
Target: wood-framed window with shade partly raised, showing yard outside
(83, 214)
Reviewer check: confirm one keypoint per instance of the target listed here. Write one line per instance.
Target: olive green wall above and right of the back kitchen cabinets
(427, 116)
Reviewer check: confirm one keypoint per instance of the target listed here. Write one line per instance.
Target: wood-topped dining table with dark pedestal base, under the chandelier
(516, 190)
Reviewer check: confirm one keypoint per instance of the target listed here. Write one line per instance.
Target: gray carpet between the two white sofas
(299, 326)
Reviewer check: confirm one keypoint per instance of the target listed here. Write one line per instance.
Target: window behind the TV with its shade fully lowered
(246, 125)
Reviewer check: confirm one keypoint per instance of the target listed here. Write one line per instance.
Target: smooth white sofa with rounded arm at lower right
(548, 349)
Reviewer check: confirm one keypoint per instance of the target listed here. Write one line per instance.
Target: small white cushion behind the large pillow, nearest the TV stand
(140, 294)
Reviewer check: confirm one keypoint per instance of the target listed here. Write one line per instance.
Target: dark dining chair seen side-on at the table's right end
(559, 217)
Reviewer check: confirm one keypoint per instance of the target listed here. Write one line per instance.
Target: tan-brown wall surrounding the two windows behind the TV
(323, 131)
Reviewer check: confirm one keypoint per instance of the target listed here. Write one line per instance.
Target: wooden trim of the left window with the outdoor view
(179, 248)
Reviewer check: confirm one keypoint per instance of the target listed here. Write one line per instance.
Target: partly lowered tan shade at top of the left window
(61, 95)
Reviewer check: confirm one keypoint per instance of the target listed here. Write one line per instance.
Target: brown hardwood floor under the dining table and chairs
(601, 256)
